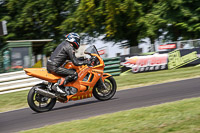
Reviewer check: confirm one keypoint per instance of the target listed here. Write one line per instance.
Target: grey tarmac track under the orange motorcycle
(24, 119)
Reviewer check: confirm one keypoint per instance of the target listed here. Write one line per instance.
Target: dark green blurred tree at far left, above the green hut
(37, 19)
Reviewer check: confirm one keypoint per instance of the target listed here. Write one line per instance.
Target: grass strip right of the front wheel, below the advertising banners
(130, 80)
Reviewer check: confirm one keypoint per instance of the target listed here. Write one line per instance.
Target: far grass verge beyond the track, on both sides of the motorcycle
(18, 100)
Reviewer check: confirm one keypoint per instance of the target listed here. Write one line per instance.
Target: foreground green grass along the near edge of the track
(177, 117)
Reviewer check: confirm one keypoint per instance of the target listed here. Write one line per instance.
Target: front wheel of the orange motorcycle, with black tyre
(103, 94)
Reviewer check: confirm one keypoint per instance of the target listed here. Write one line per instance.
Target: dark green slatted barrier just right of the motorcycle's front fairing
(112, 66)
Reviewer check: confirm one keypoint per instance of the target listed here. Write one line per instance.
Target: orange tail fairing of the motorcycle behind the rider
(41, 73)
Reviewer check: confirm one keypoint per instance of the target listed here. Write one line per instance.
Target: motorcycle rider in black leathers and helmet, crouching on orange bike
(65, 51)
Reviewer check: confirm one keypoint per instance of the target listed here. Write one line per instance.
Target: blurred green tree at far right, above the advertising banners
(172, 19)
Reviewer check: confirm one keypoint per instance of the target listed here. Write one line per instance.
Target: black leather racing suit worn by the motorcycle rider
(63, 52)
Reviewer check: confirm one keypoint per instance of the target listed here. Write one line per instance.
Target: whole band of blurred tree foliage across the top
(117, 20)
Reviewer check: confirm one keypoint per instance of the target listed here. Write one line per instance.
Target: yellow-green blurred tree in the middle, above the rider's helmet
(116, 19)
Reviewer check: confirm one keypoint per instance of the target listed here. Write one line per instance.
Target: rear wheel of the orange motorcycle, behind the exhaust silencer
(38, 102)
